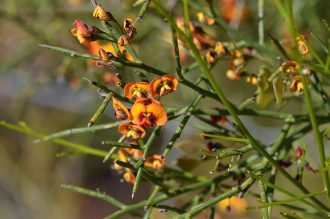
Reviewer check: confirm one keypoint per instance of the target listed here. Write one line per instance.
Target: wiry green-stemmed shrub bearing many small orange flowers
(283, 74)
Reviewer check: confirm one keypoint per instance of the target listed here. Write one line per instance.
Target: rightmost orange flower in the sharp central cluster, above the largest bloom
(163, 85)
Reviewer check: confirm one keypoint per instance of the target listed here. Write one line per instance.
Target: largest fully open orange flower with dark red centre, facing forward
(147, 112)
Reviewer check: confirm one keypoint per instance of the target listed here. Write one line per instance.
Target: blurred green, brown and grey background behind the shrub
(46, 90)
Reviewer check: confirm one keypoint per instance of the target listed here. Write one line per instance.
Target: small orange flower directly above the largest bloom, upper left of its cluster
(136, 90)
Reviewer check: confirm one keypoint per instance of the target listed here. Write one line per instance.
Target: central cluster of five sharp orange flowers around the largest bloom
(146, 110)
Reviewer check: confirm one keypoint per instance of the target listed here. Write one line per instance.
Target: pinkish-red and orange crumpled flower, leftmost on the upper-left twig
(83, 32)
